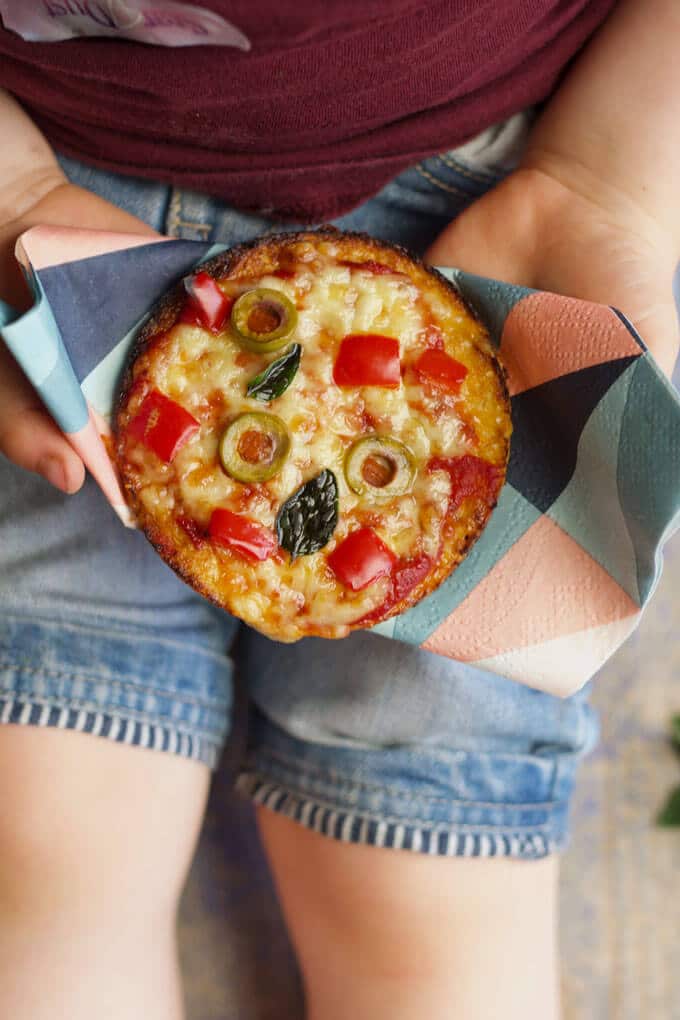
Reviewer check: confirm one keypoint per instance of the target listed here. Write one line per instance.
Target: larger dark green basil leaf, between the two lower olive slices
(309, 518)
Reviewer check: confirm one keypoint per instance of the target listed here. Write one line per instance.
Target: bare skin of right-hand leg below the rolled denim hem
(396, 936)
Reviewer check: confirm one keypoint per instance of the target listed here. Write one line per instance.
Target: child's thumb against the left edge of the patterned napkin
(29, 437)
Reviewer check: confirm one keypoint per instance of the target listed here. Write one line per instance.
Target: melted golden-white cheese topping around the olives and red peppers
(208, 377)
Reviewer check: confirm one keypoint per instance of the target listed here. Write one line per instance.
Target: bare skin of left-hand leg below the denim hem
(95, 843)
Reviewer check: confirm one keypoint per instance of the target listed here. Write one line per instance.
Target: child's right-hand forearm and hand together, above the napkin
(595, 213)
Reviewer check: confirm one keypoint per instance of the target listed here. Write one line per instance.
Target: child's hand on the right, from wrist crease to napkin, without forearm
(592, 243)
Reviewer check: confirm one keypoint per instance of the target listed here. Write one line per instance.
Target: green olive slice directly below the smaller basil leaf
(254, 447)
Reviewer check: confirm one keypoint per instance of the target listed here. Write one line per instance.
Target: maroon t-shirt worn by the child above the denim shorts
(332, 100)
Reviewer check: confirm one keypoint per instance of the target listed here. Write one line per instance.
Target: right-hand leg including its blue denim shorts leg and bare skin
(410, 806)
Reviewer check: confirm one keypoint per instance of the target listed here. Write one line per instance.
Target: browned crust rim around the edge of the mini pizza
(250, 263)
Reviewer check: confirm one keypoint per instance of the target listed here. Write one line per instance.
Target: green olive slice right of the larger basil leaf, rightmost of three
(380, 468)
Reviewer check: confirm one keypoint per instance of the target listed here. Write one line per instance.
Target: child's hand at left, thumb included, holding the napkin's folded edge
(28, 435)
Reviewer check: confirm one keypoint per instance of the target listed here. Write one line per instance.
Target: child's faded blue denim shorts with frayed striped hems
(363, 740)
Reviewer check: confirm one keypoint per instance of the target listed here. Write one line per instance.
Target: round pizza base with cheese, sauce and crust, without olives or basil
(457, 434)
